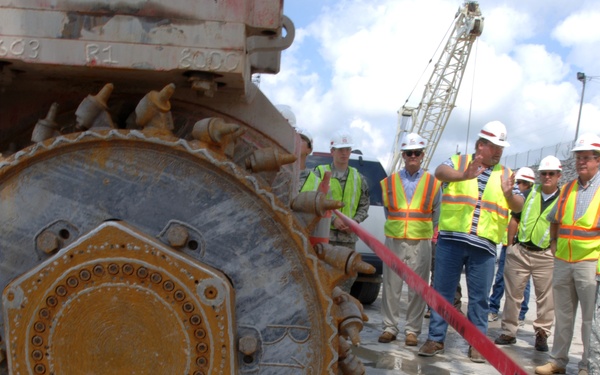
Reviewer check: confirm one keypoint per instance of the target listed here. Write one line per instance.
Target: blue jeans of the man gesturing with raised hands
(450, 258)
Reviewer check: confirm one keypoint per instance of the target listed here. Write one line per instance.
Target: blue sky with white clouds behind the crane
(353, 64)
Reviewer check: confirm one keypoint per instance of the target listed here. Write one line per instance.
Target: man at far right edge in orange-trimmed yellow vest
(575, 243)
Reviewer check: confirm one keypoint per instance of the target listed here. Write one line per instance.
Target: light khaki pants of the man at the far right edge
(573, 284)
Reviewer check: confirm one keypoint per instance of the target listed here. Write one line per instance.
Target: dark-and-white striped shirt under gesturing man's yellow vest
(472, 238)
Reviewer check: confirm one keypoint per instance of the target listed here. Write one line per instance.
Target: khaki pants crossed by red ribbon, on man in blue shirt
(416, 254)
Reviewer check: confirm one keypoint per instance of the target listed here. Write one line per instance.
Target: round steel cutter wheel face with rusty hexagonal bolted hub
(122, 252)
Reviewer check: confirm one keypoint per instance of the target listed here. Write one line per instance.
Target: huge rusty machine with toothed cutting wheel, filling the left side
(149, 220)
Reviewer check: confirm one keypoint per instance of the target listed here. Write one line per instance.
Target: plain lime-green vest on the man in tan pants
(534, 225)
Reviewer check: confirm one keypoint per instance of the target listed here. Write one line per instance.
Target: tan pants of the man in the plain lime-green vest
(519, 265)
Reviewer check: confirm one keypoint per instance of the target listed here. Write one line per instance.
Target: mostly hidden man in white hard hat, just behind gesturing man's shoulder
(524, 178)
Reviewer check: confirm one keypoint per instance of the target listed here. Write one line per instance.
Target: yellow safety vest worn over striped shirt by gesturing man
(459, 200)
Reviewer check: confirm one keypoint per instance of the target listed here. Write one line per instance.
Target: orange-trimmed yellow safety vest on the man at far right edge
(578, 240)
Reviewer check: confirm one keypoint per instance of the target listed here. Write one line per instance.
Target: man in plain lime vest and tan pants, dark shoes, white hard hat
(531, 256)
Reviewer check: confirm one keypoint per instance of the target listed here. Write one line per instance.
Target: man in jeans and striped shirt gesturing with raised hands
(478, 193)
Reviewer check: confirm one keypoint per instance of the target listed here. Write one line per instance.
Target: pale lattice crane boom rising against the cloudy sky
(429, 118)
